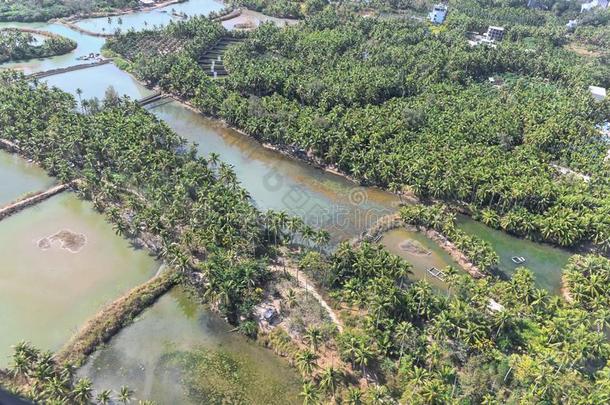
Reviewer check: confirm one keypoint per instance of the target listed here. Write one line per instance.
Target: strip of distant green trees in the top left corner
(44, 10)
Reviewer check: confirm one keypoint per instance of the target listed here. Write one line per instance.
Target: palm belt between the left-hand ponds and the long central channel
(147, 180)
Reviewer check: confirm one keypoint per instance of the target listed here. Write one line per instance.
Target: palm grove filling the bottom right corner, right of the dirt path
(423, 348)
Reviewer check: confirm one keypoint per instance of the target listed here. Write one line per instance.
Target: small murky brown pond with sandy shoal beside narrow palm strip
(422, 252)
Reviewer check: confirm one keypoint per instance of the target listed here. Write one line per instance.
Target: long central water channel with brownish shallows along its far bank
(322, 199)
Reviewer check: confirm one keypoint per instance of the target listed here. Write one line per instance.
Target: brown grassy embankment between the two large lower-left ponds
(106, 323)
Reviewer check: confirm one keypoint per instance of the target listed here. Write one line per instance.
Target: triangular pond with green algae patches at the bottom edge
(177, 352)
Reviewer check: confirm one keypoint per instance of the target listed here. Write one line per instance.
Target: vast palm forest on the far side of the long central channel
(448, 135)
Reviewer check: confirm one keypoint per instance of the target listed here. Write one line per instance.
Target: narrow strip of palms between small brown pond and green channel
(439, 218)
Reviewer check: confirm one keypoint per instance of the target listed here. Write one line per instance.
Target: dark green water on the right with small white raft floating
(545, 261)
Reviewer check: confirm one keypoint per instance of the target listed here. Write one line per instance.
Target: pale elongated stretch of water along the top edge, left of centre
(149, 18)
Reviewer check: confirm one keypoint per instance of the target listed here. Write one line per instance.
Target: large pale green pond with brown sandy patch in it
(46, 294)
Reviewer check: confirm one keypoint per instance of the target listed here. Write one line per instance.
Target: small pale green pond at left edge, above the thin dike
(18, 177)
